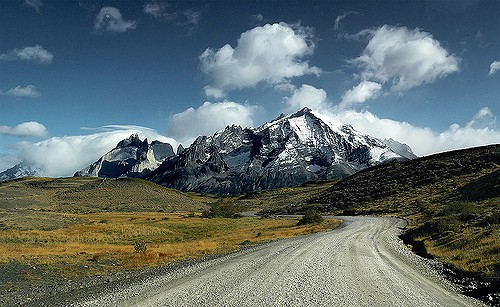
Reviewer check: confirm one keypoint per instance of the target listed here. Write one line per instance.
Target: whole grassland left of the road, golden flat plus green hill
(52, 229)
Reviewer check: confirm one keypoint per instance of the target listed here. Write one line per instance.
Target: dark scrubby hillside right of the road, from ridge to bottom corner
(451, 200)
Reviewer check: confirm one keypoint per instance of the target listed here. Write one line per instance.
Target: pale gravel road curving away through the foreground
(361, 264)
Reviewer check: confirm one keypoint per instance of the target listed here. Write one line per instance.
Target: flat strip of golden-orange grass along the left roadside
(104, 242)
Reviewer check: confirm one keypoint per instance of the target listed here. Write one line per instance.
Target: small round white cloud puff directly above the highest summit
(306, 96)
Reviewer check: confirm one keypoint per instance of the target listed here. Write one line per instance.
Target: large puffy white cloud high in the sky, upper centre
(273, 53)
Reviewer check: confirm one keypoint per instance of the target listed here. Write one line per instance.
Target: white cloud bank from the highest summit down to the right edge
(480, 130)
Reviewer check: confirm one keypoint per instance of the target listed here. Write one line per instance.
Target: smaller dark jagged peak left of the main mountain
(131, 158)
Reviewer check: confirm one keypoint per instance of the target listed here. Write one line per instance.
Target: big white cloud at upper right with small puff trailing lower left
(401, 58)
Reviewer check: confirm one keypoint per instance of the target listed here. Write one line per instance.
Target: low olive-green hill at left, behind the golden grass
(90, 194)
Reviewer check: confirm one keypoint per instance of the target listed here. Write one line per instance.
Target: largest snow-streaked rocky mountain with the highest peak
(288, 151)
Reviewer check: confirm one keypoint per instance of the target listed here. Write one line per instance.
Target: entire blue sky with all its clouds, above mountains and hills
(76, 76)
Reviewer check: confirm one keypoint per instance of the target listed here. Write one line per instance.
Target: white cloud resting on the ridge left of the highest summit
(209, 118)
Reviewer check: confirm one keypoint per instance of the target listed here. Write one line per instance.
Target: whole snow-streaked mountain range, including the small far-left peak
(287, 151)
